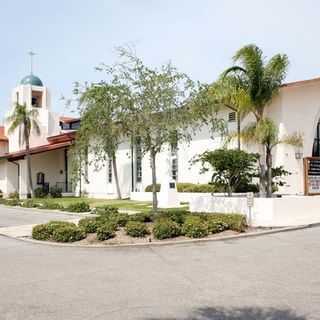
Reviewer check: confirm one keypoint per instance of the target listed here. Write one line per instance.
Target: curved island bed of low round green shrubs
(112, 227)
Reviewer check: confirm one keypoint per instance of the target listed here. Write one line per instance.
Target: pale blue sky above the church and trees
(71, 37)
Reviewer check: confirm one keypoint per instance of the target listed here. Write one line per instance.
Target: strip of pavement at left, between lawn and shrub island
(23, 216)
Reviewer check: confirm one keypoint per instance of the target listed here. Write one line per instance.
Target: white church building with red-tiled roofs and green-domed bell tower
(295, 109)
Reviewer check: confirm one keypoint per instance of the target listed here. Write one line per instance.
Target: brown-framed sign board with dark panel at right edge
(311, 175)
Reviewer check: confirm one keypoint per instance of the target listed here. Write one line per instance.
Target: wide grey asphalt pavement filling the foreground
(273, 277)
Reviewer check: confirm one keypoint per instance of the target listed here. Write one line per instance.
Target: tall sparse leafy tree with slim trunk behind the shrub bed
(158, 110)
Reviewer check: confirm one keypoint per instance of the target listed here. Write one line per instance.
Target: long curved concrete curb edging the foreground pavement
(168, 243)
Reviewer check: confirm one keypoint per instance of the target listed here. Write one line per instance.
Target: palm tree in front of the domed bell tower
(25, 120)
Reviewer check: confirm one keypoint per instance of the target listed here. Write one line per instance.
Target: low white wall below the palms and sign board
(267, 212)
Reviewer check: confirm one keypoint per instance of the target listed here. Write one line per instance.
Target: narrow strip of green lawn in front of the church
(142, 206)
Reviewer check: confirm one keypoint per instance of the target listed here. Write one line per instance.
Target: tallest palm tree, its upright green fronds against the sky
(261, 80)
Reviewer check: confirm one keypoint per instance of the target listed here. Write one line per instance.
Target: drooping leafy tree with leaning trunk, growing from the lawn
(101, 130)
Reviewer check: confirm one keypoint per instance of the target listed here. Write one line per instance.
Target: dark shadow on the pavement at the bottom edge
(211, 313)
